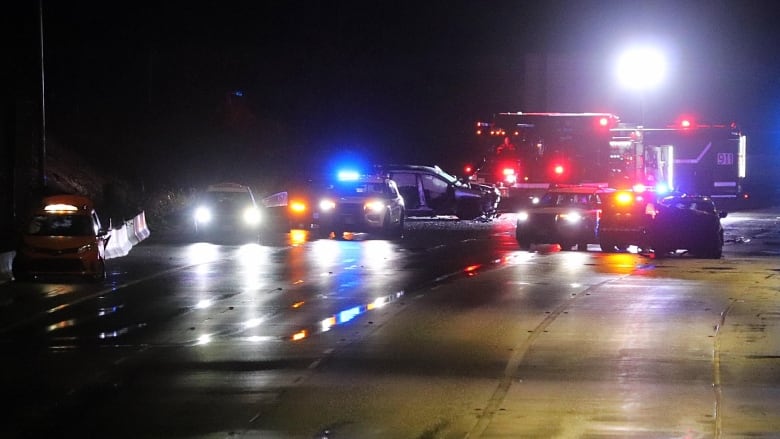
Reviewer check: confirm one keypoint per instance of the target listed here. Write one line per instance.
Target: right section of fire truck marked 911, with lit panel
(688, 157)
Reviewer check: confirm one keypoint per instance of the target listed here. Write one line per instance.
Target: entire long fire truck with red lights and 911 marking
(524, 154)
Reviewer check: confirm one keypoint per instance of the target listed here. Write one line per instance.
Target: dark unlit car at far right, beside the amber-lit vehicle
(689, 223)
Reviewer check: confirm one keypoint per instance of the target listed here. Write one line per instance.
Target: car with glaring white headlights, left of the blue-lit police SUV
(226, 211)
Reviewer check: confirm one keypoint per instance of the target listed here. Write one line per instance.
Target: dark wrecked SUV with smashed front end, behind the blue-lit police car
(429, 191)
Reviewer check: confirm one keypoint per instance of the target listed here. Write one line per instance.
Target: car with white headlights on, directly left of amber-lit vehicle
(566, 215)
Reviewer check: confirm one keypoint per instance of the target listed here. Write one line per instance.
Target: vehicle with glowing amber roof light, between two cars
(626, 217)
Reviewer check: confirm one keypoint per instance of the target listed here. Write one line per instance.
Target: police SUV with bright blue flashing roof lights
(361, 203)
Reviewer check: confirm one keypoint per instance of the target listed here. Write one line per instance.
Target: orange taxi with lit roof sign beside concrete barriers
(62, 237)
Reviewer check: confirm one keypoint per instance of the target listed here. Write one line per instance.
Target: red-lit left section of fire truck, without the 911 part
(524, 154)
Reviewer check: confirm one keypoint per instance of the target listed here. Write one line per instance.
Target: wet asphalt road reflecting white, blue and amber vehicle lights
(452, 332)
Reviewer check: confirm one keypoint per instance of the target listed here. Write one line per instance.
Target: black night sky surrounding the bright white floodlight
(399, 80)
